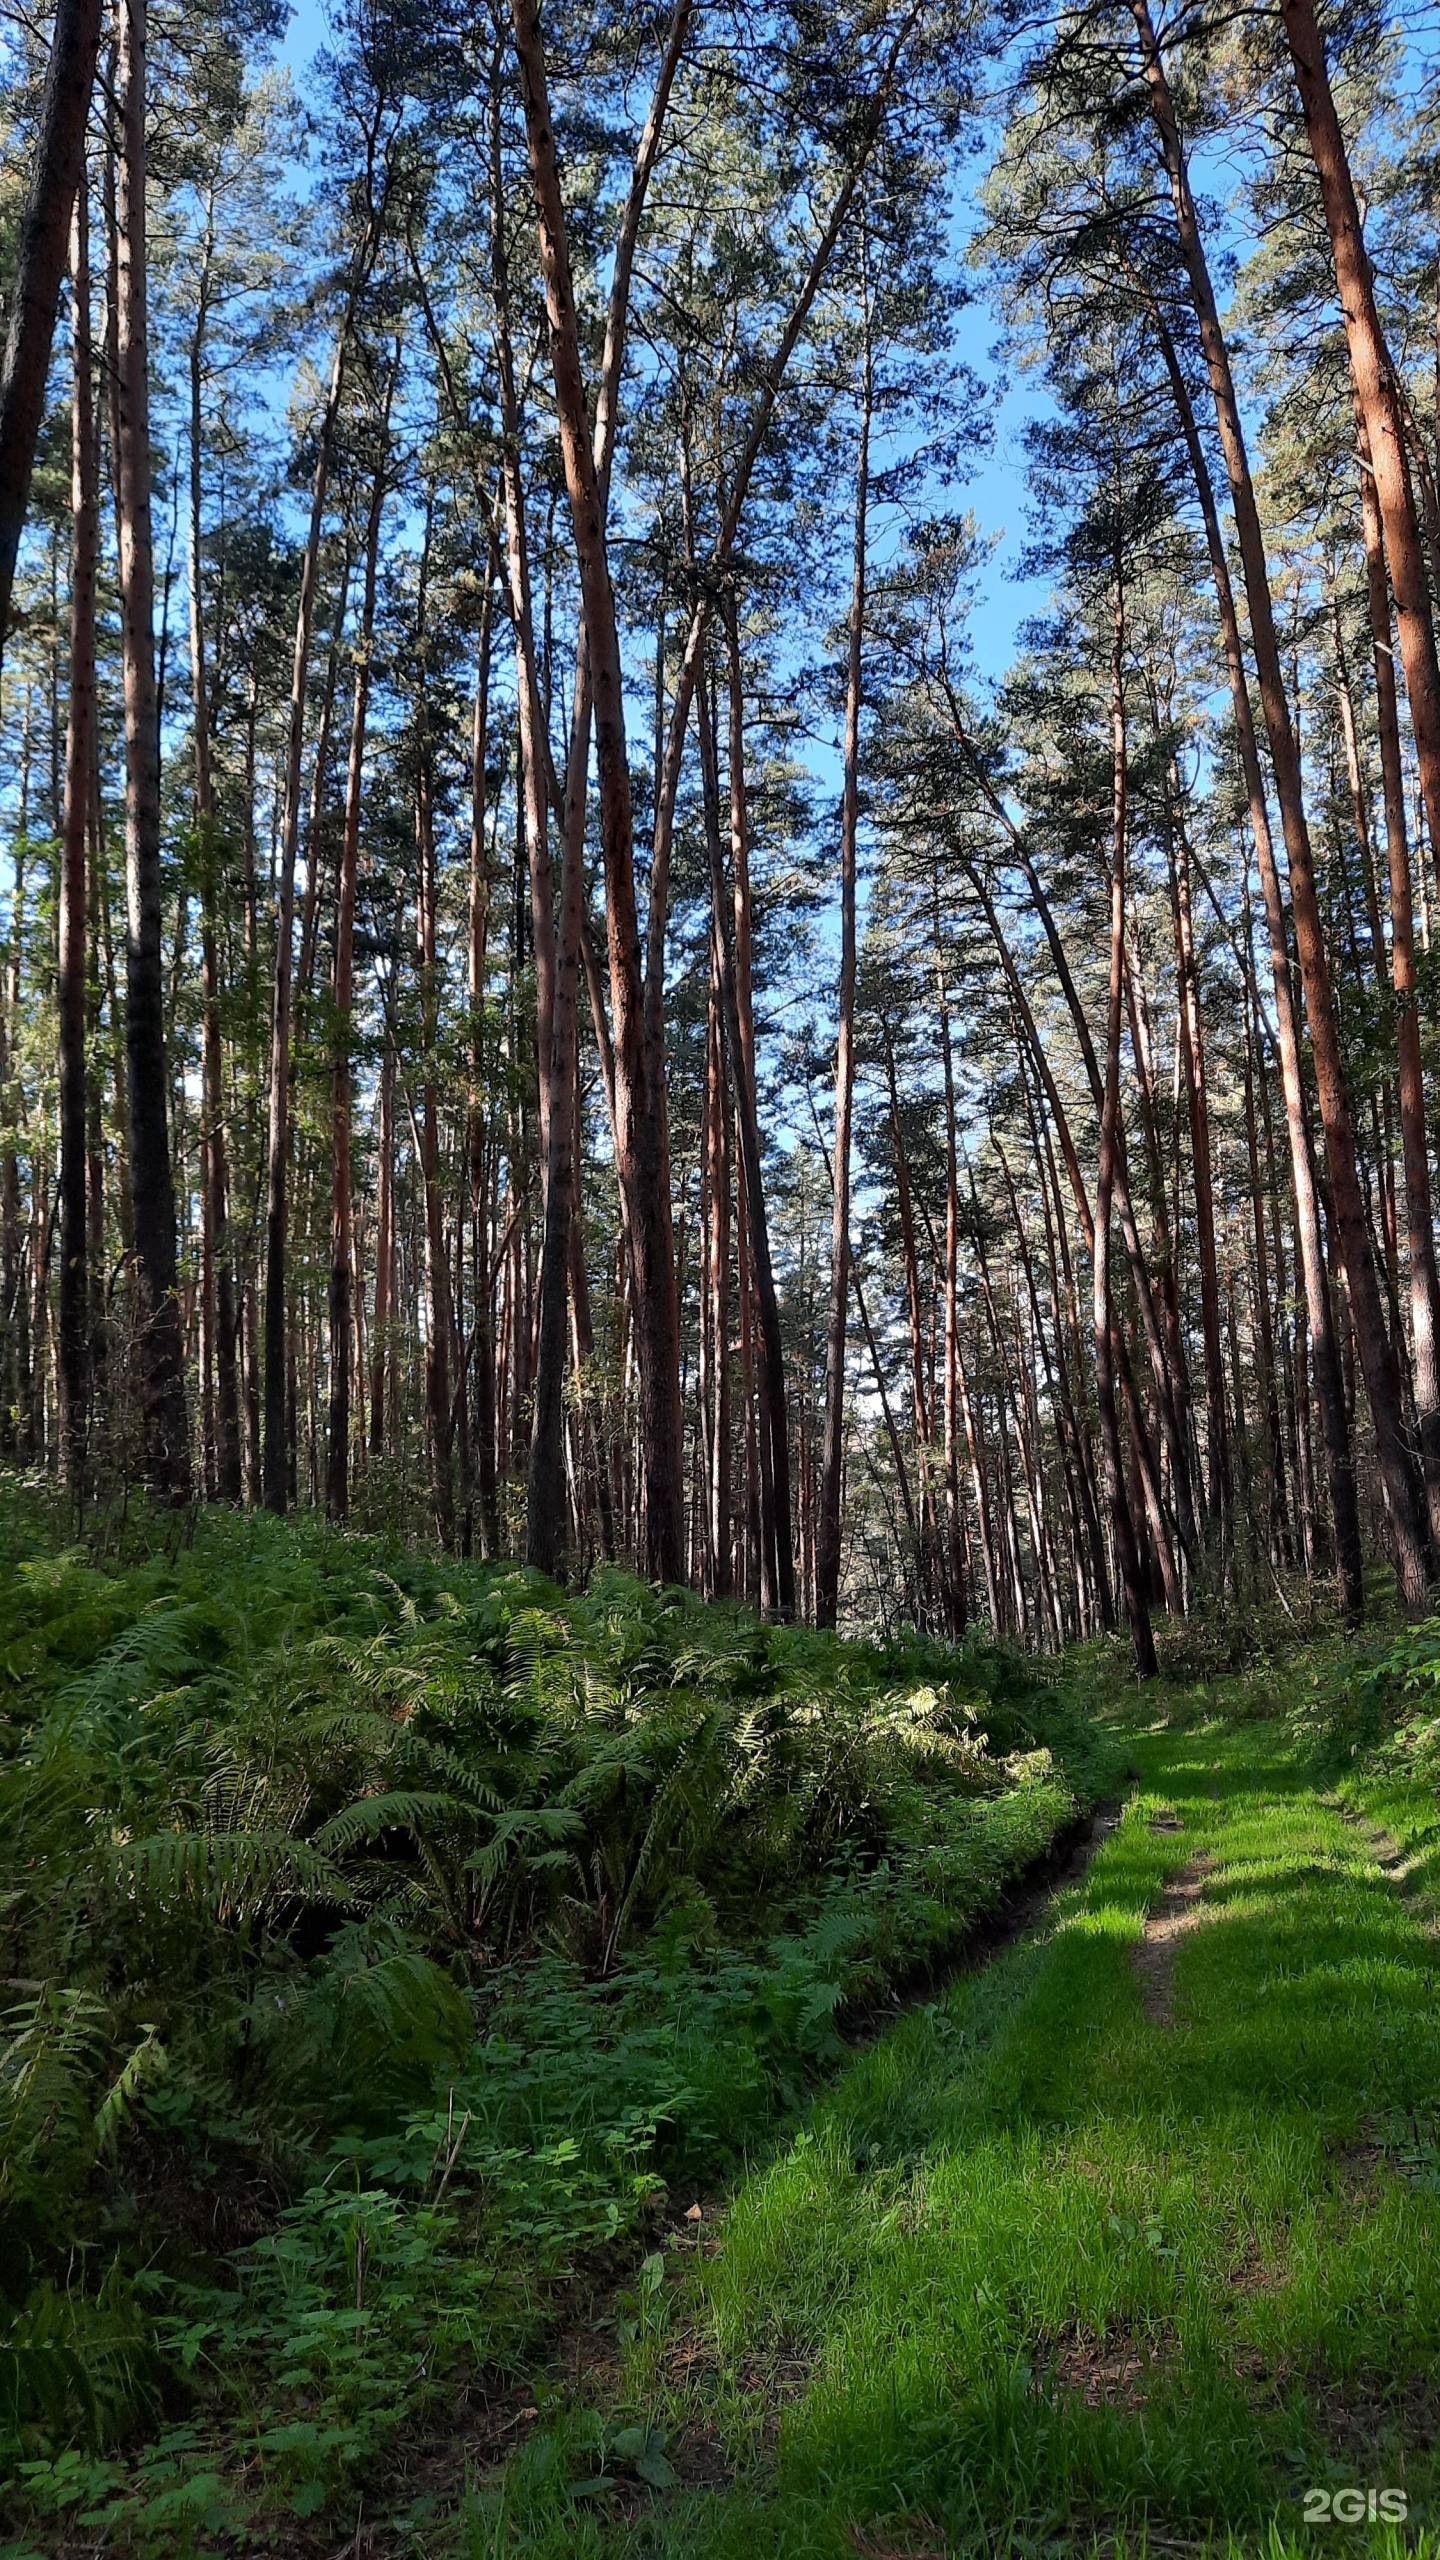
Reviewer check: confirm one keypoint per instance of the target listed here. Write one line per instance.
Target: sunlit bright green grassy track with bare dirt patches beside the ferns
(1126, 2244)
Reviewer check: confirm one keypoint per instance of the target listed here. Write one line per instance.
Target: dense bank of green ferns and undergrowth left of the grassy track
(383, 1934)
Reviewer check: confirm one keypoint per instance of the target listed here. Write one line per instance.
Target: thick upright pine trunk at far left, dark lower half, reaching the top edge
(147, 1071)
